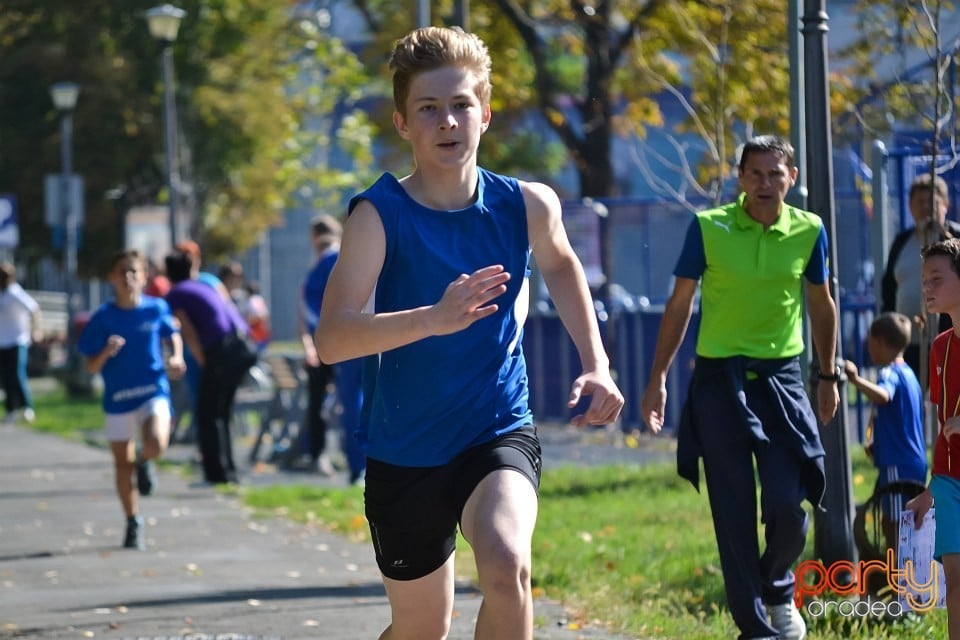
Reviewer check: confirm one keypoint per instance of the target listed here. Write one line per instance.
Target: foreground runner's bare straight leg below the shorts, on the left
(421, 609)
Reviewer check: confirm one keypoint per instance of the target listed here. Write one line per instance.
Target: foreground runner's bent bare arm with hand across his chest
(345, 331)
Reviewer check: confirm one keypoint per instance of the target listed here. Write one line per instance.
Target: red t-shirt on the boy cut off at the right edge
(945, 396)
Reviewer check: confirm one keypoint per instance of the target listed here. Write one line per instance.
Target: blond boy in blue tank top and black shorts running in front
(442, 256)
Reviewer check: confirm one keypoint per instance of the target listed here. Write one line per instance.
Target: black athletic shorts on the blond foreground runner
(414, 511)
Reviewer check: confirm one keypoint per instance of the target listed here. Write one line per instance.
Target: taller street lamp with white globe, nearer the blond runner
(164, 23)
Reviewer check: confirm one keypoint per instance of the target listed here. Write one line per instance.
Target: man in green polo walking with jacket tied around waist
(746, 399)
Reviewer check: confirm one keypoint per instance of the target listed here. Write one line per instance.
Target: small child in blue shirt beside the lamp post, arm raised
(898, 448)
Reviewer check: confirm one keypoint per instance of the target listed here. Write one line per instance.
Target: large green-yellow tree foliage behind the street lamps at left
(264, 96)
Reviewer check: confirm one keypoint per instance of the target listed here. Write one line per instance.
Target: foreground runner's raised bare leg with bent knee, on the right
(498, 522)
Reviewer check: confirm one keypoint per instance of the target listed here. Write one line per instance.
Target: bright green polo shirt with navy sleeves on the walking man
(751, 279)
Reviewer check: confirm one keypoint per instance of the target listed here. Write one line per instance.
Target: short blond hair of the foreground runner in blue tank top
(431, 48)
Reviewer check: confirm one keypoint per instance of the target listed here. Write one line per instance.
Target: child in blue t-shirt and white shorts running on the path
(122, 342)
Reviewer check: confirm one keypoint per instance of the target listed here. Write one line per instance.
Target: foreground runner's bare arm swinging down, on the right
(564, 277)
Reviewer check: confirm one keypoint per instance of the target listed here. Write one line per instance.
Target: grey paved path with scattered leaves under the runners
(210, 570)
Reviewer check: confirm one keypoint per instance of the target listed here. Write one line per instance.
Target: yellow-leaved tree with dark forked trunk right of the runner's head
(594, 72)
